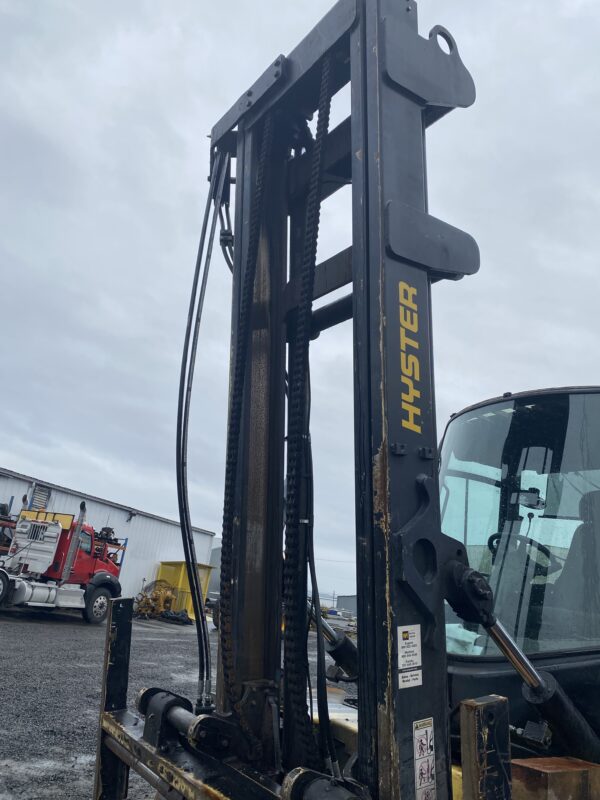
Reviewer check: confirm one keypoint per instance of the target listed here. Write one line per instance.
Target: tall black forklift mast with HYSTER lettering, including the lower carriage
(258, 741)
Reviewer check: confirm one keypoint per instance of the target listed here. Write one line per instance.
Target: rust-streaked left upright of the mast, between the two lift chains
(259, 505)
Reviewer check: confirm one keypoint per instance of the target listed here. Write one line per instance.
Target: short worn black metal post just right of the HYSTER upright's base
(485, 748)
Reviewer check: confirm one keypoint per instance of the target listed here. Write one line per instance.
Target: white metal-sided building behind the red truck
(150, 538)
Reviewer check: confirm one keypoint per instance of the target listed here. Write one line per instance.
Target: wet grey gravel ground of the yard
(51, 663)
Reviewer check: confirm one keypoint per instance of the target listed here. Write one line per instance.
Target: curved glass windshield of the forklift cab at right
(520, 486)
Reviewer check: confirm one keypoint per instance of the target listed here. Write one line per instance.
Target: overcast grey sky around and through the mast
(105, 109)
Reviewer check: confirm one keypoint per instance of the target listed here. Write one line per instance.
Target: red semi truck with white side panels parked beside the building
(56, 561)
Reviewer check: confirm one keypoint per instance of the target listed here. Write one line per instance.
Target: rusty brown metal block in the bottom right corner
(555, 779)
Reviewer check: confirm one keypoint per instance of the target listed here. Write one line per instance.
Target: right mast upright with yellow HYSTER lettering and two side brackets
(400, 550)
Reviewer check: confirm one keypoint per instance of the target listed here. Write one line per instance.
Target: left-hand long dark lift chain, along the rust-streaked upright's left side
(235, 416)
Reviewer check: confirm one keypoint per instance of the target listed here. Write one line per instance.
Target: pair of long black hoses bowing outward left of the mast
(185, 390)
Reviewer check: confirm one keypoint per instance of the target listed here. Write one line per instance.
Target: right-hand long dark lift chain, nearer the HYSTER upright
(294, 595)
